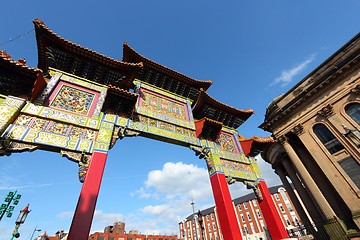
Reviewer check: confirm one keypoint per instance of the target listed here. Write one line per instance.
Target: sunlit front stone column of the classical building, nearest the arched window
(309, 182)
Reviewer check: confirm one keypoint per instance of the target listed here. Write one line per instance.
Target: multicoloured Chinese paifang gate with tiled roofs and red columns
(79, 103)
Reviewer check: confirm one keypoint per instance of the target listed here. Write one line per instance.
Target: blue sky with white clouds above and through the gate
(253, 51)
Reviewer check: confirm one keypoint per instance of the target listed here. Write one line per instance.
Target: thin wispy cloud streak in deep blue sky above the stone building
(287, 76)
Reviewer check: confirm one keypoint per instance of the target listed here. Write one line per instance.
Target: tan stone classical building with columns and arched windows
(316, 128)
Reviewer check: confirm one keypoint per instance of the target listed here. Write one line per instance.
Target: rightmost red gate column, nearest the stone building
(272, 218)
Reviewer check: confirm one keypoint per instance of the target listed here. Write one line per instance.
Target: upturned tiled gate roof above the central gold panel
(164, 77)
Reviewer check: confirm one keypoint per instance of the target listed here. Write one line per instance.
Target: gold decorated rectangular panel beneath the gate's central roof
(164, 106)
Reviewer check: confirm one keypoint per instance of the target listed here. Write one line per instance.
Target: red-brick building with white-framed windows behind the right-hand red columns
(249, 215)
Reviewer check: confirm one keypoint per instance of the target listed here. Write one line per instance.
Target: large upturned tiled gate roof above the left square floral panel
(57, 52)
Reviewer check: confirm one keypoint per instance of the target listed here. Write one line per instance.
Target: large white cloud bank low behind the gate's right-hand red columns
(168, 193)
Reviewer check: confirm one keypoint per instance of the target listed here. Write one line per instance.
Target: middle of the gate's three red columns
(224, 206)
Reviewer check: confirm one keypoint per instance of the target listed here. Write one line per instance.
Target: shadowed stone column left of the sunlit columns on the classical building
(299, 208)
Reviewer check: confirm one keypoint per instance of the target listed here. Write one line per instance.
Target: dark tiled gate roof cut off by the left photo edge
(16, 78)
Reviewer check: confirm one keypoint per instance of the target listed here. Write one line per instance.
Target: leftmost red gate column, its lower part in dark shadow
(81, 223)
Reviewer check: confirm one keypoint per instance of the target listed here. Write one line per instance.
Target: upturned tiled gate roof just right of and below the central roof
(206, 106)
